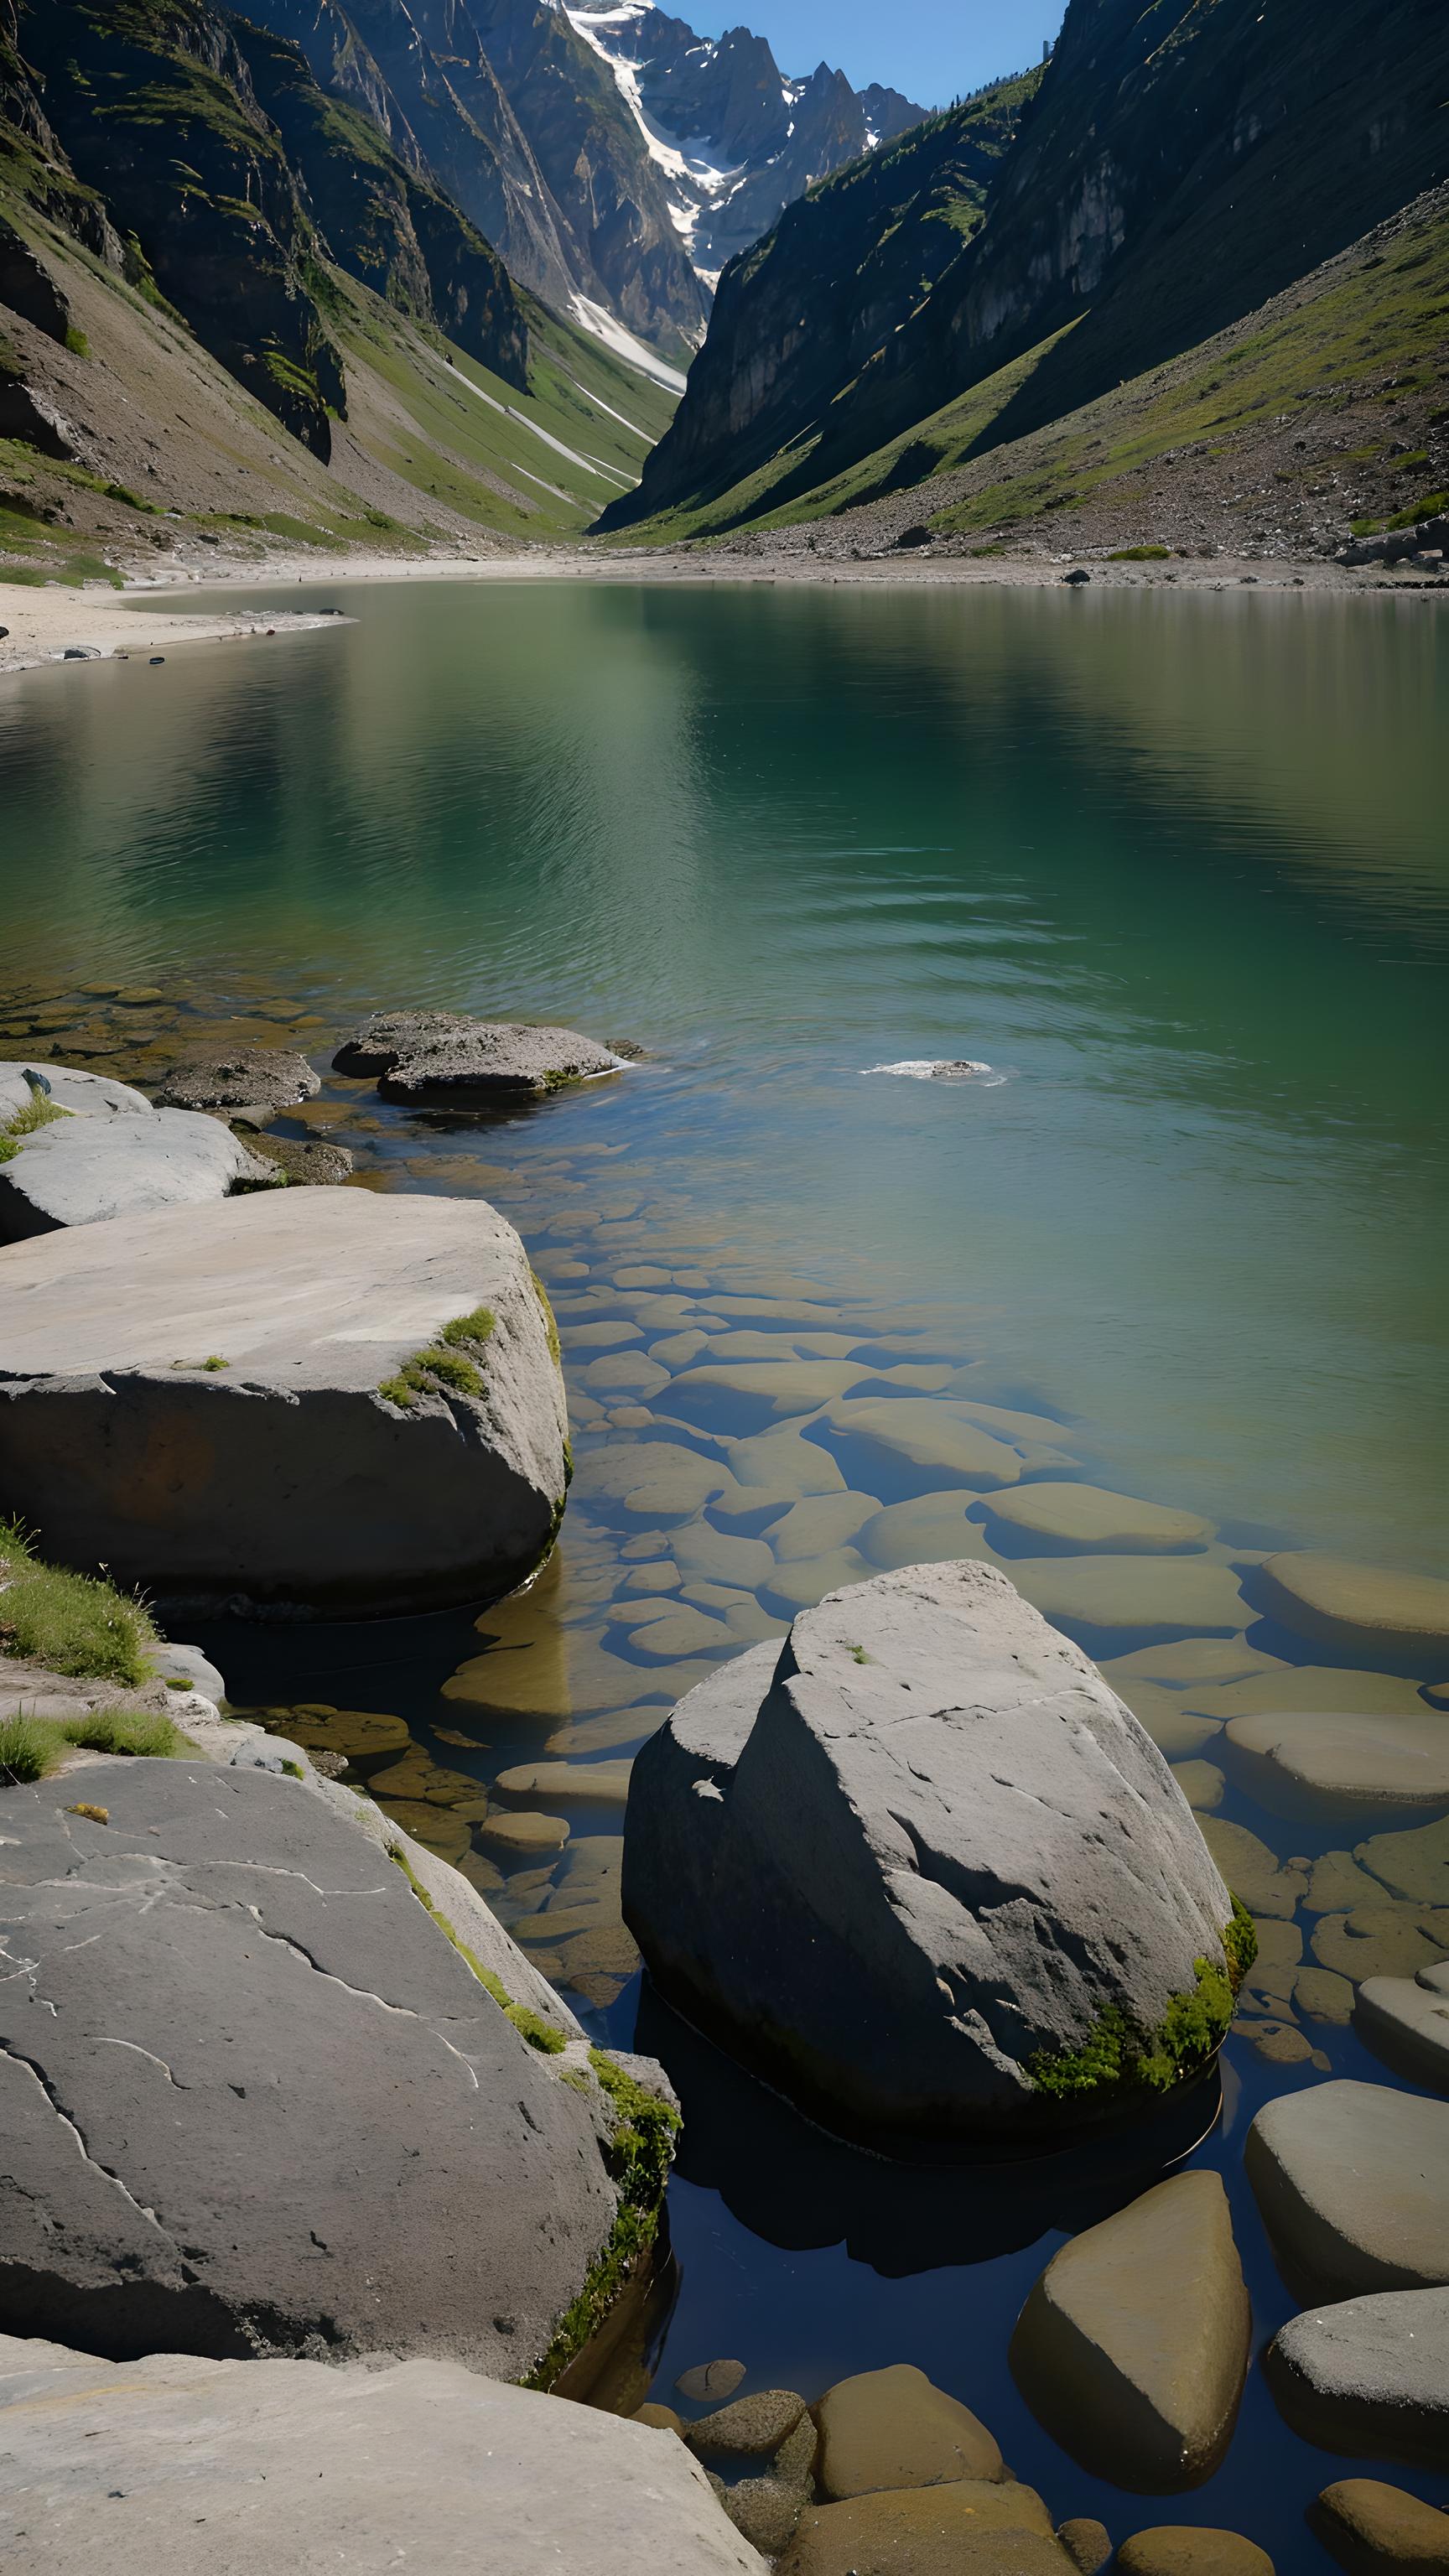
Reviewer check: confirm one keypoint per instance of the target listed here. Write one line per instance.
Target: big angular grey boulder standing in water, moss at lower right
(924, 1871)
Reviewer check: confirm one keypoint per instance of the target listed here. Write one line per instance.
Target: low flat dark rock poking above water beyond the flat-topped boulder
(442, 1057)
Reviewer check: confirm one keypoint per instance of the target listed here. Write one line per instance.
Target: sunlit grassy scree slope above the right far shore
(1319, 416)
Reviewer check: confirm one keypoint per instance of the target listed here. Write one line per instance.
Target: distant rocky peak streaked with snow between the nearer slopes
(610, 156)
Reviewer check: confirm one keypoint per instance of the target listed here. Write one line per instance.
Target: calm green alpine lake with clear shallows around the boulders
(1174, 872)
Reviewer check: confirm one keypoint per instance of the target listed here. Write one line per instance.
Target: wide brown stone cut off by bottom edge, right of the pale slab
(929, 2531)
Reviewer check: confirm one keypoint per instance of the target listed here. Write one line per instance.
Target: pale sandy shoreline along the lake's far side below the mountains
(43, 625)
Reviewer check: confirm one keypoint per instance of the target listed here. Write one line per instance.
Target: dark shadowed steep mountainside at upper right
(1169, 176)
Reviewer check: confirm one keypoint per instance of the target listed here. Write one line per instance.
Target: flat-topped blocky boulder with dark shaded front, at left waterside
(275, 1400)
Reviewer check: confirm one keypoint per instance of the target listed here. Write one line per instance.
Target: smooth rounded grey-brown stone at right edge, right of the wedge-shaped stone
(1355, 2188)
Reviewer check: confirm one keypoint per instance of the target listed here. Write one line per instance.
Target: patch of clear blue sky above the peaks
(927, 48)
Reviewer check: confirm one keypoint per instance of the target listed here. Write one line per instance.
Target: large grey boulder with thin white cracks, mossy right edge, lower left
(257, 2101)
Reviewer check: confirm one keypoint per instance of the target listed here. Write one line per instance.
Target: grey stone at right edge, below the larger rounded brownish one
(1370, 2376)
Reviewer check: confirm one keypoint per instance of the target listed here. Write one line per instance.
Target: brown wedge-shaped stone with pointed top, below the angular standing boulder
(1133, 2345)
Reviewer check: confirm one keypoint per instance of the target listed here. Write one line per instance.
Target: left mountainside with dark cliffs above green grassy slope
(231, 310)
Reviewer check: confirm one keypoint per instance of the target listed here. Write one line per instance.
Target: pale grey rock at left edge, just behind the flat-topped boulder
(81, 1171)
